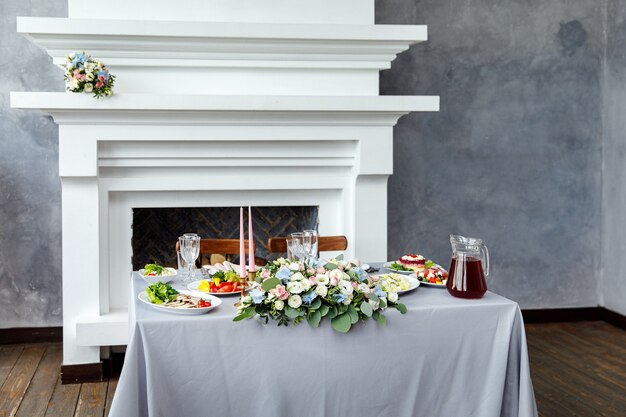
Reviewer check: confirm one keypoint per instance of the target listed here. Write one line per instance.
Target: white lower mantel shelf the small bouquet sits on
(71, 108)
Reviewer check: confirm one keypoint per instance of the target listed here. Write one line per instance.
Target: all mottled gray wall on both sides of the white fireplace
(514, 157)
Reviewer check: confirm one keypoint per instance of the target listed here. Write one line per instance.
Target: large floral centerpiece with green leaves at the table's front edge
(316, 289)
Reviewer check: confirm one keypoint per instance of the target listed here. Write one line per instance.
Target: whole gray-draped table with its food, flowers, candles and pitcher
(296, 339)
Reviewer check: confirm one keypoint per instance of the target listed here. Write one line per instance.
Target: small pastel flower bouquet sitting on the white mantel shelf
(84, 74)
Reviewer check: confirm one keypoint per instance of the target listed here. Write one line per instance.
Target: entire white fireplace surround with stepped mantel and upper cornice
(271, 112)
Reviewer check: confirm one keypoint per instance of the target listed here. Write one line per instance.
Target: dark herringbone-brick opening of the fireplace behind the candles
(156, 230)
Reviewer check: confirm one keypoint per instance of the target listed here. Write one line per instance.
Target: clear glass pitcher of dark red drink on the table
(469, 267)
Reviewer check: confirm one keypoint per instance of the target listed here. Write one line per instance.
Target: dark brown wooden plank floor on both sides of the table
(578, 369)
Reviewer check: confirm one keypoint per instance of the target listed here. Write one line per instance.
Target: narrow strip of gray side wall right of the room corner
(614, 173)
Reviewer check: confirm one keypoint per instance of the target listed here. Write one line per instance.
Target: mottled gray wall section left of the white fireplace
(30, 191)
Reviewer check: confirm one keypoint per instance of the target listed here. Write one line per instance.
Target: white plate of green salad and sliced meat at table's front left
(163, 297)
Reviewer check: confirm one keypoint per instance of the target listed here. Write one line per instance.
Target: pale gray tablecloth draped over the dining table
(446, 357)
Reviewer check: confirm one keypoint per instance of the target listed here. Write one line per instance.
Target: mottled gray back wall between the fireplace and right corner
(514, 155)
